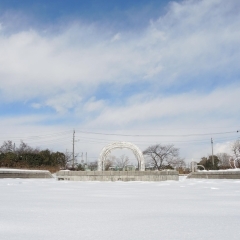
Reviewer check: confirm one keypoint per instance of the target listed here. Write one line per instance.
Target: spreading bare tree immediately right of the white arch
(161, 155)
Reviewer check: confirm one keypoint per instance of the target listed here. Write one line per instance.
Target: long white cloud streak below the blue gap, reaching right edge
(220, 102)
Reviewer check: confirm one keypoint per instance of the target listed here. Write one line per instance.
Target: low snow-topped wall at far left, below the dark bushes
(21, 173)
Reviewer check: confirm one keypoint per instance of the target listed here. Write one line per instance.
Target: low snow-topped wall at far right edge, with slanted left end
(218, 174)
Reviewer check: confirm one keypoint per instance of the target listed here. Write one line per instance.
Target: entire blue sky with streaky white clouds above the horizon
(143, 71)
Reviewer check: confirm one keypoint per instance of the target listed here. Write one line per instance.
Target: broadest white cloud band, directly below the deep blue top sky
(193, 37)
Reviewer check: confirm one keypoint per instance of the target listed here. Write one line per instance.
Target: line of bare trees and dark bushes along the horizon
(157, 157)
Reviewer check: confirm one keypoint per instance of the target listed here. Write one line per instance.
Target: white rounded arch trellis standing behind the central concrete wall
(107, 150)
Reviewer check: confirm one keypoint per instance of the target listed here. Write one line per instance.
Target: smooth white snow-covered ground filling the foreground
(55, 210)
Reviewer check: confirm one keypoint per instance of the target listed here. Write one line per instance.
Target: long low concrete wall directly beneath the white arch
(117, 175)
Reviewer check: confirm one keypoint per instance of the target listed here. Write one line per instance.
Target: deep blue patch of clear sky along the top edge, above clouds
(123, 14)
